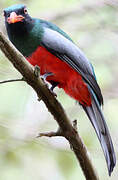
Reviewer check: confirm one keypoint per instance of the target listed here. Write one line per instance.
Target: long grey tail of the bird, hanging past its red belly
(97, 119)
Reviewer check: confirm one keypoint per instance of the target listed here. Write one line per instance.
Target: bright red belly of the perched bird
(70, 80)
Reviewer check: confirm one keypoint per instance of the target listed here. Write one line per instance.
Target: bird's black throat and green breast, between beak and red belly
(25, 36)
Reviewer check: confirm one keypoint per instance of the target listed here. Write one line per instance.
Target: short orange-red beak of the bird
(14, 18)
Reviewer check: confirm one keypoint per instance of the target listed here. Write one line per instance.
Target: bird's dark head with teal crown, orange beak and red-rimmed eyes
(17, 19)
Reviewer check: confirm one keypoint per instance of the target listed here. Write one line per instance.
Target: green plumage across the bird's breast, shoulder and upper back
(29, 42)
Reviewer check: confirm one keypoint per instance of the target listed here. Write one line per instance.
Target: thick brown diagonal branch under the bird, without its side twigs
(55, 108)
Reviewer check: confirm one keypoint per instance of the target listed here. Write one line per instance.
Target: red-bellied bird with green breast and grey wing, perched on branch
(63, 64)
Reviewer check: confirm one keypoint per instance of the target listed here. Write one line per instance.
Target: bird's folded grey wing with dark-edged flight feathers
(67, 51)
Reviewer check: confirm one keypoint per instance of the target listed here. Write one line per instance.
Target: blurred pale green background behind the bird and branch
(93, 25)
